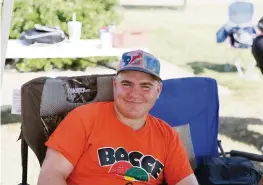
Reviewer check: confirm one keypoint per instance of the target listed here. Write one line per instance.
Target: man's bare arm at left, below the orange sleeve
(55, 169)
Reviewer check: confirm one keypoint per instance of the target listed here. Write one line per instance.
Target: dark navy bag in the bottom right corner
(228, 170)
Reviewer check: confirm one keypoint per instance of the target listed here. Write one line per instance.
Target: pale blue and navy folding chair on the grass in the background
(239, 31)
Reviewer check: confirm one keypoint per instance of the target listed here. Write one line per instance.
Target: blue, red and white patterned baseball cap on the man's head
(139, 60)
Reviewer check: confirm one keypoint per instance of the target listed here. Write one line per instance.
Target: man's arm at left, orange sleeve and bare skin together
(65, 146)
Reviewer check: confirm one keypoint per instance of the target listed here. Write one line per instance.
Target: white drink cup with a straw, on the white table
(74, 30)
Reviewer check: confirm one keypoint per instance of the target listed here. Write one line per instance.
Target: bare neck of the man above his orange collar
(135, 124)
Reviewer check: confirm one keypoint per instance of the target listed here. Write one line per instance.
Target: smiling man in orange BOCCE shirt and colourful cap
(119, 143)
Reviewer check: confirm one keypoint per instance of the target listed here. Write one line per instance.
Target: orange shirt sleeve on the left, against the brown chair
(70, 136)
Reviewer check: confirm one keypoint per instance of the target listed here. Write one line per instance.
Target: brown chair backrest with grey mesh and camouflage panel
(46, 101)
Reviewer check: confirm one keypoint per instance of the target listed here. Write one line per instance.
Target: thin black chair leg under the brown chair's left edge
(24, 157)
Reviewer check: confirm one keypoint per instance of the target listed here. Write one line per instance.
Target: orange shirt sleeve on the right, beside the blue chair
(177, 165)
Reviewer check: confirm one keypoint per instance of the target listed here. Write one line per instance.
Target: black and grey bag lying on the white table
(43, 34)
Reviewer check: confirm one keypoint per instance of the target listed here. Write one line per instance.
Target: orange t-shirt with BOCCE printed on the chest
(104, 151)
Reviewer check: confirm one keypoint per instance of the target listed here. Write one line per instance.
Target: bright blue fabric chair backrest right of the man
(193, 101)
